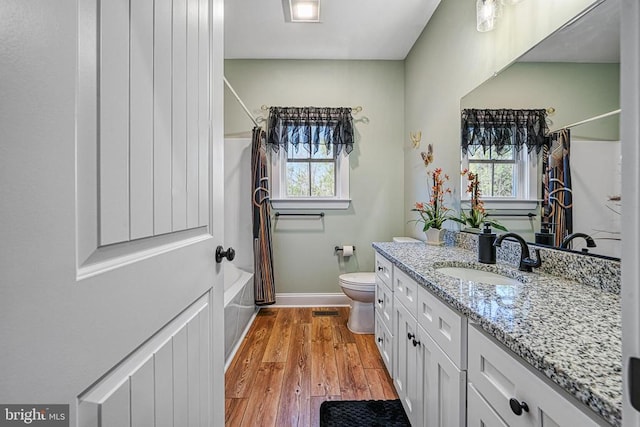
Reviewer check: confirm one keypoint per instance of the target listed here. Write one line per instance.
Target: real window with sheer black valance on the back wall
(312, 169)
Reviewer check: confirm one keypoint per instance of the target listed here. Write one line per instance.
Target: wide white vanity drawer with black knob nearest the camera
(499, 376)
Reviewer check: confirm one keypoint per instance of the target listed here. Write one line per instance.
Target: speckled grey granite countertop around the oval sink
(568, 331)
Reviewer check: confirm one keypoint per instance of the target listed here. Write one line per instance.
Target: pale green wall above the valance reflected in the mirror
(576, 91)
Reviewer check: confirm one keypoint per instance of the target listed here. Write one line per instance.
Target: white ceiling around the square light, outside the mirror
(349, 29)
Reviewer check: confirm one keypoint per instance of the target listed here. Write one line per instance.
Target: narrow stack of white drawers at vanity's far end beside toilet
(384, 311)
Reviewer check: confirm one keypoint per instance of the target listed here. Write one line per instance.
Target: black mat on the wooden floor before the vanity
(358, 413)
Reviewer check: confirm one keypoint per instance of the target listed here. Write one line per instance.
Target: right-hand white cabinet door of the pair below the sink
(442, 385)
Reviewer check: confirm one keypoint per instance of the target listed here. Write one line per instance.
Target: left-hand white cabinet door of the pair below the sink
(405, 378)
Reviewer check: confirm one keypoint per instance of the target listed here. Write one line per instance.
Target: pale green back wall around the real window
(304, 259)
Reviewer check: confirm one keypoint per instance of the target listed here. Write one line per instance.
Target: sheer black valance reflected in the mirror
(502, 128)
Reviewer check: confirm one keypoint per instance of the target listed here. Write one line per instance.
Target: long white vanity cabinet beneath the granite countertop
(449, 372)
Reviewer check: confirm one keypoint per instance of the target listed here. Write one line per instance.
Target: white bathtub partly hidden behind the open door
(239, 308)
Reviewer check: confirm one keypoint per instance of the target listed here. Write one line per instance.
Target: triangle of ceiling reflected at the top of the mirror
(592, 38)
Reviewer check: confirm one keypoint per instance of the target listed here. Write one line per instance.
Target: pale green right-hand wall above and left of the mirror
(450, 59)
